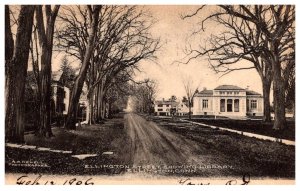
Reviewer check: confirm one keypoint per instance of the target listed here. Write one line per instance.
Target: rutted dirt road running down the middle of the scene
(150, 144)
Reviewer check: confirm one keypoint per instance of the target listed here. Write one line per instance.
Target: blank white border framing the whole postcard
(132, 188)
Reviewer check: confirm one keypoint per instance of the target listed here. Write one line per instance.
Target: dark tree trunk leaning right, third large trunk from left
(77, 88)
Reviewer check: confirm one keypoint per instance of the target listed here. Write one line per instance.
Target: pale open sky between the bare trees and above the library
(174, 34)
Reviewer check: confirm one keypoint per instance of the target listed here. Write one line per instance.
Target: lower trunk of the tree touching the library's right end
(266, 96)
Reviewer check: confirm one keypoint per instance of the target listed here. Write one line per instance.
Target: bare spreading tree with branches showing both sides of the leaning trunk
(122, 41)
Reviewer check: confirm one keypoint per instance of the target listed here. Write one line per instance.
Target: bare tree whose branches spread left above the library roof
(239, 40)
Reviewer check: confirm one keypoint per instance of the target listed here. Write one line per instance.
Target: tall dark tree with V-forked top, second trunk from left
(45, 35)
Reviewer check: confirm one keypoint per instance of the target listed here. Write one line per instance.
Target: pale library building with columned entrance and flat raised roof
(228, 100)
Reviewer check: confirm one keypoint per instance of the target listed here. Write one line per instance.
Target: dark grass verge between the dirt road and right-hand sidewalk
(257, 157)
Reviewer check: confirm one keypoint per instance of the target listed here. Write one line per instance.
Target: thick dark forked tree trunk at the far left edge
(16, 62)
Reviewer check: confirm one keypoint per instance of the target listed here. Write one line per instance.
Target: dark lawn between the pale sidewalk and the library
(253, 126)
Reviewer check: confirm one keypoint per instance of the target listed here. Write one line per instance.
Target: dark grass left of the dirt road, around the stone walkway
(93, 139)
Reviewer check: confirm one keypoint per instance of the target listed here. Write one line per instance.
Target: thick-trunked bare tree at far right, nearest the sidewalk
(280, 35)
